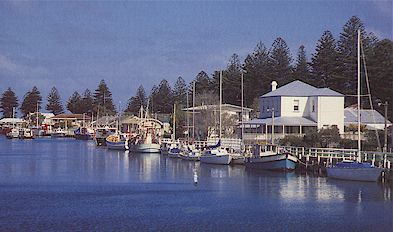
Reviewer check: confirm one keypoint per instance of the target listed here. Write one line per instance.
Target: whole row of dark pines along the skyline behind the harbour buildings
(333, 64)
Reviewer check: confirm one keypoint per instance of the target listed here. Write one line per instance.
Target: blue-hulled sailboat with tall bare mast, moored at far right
(357, 171)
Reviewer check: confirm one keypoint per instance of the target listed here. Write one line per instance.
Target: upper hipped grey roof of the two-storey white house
(300, 89)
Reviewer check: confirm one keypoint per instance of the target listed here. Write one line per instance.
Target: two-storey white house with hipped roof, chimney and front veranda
(296, 108)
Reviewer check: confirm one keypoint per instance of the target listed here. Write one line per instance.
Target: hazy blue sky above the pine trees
(73, 45)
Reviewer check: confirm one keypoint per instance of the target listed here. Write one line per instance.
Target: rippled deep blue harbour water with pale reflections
(69, 185)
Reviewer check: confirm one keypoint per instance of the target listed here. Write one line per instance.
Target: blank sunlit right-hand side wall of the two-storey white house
(331, 112)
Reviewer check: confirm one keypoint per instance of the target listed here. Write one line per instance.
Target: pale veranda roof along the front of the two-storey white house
(282, 121)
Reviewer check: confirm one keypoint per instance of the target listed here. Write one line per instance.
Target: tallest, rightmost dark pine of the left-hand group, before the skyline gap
(103, 100)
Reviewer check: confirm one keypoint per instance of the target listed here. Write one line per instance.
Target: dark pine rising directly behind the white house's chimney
(280, 62)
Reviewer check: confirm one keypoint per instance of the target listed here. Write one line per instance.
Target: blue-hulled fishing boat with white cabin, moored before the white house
(272, 160)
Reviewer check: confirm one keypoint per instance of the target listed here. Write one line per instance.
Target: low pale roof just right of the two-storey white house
(367, 116)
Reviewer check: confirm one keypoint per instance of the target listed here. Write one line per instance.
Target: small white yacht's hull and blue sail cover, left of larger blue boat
(216, 155)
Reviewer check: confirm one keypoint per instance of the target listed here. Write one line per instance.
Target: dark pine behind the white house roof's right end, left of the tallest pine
(325, 64)
